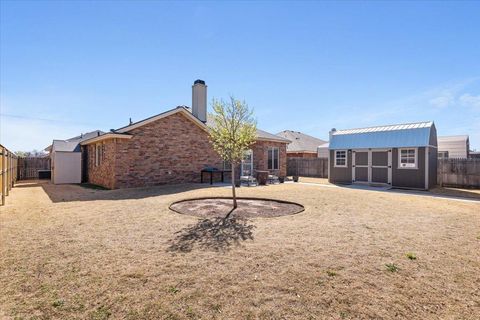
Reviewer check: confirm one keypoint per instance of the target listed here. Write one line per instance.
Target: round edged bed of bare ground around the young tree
(247, 207)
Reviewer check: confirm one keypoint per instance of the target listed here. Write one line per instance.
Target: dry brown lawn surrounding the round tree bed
(69, 252)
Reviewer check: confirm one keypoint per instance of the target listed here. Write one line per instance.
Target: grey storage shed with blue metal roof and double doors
(403, 156)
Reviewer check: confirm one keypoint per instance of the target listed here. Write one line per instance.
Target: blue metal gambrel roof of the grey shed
(390, 136)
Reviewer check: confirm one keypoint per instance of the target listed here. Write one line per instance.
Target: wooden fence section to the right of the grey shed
(459, 173)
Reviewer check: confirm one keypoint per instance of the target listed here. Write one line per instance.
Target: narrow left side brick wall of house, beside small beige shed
(103, 174)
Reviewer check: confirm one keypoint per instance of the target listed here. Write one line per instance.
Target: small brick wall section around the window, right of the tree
(260, 156)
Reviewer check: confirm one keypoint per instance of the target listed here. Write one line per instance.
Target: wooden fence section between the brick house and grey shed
(308, 167)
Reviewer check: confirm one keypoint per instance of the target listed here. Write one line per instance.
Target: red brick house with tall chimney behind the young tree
(171, 147)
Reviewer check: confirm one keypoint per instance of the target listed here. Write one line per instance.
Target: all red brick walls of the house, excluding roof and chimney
(169, 150)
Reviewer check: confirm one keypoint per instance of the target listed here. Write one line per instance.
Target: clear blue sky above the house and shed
(71, 67)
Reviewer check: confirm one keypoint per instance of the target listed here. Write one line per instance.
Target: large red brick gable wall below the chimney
(169, 150)
